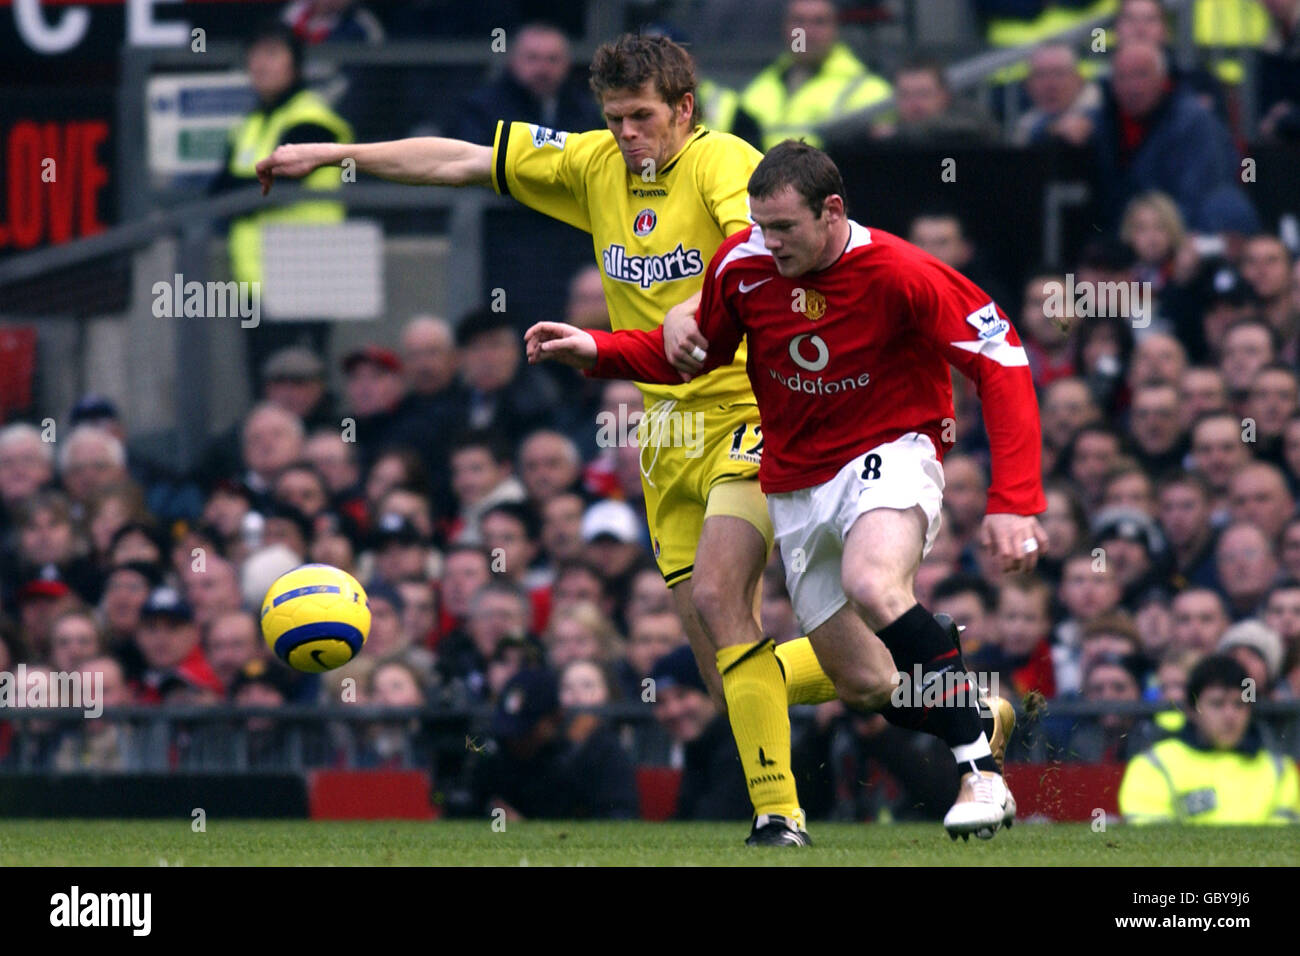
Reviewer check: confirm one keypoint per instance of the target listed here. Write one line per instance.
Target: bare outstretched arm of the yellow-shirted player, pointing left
(418, 162)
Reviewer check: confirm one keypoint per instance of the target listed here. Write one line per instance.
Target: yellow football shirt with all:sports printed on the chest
(653, 237)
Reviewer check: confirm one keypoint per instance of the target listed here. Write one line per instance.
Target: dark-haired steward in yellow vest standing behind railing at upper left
(288, 113)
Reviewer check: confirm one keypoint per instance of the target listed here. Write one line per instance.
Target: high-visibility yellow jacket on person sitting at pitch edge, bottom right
(1184, 781)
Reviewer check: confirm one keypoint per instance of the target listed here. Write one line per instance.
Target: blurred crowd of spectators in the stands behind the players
(495, 511)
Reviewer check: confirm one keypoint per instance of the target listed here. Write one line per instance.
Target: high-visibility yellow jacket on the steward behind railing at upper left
(255, 139)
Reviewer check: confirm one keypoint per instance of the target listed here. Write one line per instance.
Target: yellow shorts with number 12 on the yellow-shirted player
(699, 461)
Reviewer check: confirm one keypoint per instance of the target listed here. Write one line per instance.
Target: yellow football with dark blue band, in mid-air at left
(315, 618)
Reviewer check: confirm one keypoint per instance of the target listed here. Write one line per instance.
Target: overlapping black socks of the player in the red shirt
(917, 641)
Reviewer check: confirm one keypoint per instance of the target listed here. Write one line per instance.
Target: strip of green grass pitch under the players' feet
(473, 843)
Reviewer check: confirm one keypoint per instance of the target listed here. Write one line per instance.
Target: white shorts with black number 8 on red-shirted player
(812, 524)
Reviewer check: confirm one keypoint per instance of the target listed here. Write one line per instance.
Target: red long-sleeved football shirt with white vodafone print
(856, 356)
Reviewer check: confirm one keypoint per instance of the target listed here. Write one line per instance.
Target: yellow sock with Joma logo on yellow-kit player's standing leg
(761, 724)
